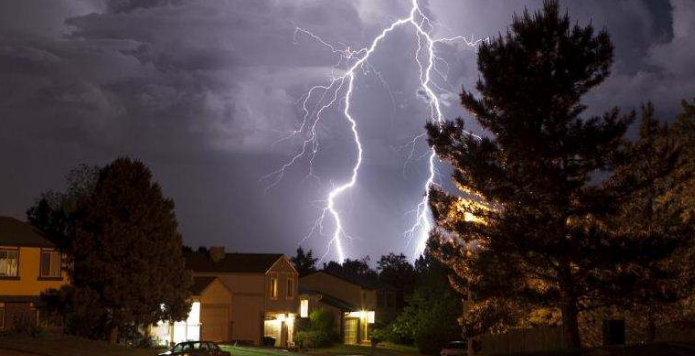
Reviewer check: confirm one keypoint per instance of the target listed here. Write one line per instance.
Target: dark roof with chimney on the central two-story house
(232, 262)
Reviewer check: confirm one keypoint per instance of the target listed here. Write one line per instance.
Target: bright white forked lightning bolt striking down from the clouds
(341, 85)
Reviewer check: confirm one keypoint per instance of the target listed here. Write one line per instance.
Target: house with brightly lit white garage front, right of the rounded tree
(238, 297)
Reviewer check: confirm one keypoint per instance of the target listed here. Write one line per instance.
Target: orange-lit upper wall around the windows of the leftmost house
(29, 283)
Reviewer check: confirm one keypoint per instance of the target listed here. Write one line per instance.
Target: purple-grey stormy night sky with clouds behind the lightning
(201, 89)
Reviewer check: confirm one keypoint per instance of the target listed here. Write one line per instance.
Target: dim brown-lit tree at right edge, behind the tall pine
(651, 217)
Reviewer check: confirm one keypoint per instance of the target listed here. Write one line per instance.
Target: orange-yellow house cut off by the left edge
(29, 265)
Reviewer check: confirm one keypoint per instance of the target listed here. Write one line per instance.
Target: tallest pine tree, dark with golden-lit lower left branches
(542, 236)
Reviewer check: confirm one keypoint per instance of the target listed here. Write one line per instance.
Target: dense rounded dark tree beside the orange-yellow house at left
(127, 250)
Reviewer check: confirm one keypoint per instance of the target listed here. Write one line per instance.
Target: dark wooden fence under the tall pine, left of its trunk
(523, 340)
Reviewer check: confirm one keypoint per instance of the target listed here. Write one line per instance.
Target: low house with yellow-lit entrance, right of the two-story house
(353, 303)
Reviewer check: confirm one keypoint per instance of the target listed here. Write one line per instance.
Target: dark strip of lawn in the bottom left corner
(68, 346)
